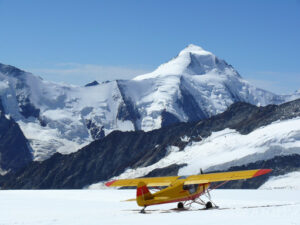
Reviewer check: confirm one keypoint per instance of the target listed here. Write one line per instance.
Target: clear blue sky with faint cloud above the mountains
(78, 41)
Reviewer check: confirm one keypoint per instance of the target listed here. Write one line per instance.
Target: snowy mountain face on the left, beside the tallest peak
(65, 112)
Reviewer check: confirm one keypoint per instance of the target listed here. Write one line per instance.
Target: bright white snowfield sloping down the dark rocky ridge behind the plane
(228, 148)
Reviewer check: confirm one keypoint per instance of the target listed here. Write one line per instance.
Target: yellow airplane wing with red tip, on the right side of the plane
(215, 177)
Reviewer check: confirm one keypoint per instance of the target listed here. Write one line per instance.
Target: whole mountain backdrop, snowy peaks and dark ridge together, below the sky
(193, 112)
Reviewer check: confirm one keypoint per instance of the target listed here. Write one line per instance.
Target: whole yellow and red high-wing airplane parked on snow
(183, 189)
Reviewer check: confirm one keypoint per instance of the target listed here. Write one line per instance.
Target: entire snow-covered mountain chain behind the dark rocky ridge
(62, 118)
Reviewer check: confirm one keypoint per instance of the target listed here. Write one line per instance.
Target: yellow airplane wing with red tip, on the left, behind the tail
(149, 181)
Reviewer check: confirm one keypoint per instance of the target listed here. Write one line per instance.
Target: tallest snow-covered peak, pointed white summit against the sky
(192, 86)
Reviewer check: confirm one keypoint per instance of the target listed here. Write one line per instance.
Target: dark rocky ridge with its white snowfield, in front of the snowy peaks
(242, 137)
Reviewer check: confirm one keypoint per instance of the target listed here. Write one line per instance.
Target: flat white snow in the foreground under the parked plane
(70, 207)
